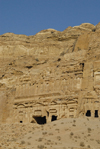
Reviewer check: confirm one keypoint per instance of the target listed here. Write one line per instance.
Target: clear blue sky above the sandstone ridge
(31, 16)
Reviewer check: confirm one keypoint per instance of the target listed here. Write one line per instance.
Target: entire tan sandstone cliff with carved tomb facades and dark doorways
(50, 75)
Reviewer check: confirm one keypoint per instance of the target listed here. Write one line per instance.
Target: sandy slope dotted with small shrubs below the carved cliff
(66, 133)
